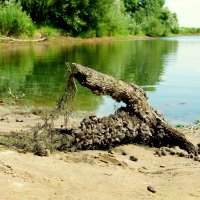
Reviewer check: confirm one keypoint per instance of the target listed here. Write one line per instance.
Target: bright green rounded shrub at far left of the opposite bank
(13, 21)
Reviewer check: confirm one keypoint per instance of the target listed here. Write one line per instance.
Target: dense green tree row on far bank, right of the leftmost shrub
(88, 18)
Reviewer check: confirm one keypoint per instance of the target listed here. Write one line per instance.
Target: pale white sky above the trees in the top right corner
(188, 11)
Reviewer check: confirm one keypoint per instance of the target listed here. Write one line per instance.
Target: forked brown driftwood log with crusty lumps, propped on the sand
(138, 122)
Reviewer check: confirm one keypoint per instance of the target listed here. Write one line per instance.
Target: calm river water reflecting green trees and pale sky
(168, 69)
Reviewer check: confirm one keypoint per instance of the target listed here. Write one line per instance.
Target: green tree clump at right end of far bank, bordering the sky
(152, 16)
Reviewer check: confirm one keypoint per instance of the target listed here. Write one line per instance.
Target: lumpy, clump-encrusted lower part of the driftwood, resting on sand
(123, 127)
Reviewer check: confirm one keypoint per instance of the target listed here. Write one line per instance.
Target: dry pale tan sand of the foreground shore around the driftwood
(94, 175)
